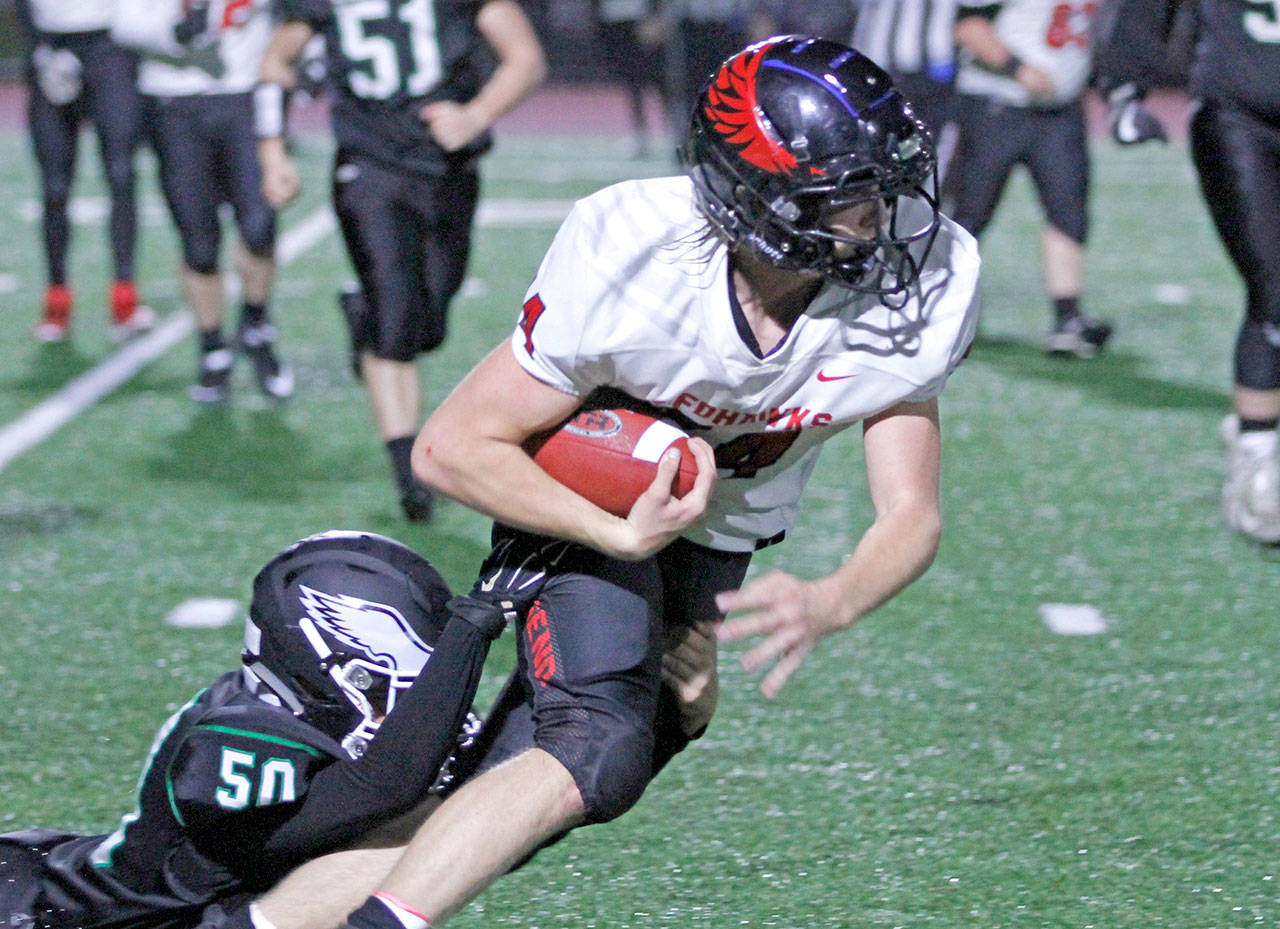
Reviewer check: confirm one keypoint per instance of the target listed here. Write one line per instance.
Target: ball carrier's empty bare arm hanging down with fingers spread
(903, 452)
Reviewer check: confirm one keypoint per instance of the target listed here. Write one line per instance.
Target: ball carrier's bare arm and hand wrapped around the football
(470, 450)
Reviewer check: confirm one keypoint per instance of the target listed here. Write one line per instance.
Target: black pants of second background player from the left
(208, 155)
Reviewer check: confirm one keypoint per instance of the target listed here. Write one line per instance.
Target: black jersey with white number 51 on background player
(390, 58)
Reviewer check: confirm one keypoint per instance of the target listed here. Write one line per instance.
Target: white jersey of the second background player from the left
(240, 31)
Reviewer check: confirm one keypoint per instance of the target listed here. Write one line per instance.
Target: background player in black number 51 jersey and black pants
(412, 117)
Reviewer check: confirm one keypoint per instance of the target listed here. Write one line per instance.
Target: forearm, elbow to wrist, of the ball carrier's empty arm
(898, 548)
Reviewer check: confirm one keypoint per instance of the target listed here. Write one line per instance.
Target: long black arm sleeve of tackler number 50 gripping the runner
(404, 759)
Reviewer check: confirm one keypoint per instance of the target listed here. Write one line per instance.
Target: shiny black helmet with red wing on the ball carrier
(794, 130)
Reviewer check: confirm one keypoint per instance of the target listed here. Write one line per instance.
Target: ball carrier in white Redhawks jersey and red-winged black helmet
(798, 281)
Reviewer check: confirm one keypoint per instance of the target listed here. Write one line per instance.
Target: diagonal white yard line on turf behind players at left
(117, 369)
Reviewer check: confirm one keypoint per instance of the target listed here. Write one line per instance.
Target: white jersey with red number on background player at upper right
(1053, 35)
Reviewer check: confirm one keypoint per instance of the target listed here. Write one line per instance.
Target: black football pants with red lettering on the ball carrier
(591, 661)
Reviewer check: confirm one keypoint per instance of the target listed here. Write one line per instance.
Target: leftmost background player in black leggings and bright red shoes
(77, 74)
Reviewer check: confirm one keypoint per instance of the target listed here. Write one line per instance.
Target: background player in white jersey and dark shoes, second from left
(200, 62)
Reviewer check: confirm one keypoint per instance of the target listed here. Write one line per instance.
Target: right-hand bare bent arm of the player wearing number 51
(522, 67)
